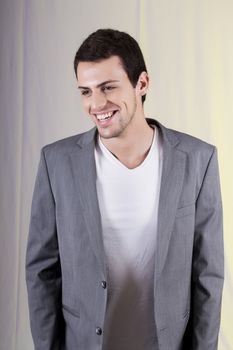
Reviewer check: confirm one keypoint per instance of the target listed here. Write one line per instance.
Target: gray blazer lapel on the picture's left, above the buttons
(83, 163)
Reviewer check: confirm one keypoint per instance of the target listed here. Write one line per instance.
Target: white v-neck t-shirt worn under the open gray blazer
(128, 202)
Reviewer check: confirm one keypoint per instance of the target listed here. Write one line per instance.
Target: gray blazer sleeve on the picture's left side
(43, 270)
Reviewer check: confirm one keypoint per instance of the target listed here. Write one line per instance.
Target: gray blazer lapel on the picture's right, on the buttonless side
(170, 190)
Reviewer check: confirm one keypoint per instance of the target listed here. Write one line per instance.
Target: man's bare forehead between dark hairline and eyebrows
(89, 73)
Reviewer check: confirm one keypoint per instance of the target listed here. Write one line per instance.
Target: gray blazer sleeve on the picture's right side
(208, 261)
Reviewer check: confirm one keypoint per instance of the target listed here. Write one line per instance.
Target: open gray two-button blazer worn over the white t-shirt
(65, 264)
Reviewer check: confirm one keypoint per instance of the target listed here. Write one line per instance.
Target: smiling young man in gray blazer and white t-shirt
(125, 246)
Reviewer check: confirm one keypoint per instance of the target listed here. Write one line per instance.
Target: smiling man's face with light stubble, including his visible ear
(108, 96)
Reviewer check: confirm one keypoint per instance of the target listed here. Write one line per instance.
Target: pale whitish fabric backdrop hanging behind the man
(189, 52)
